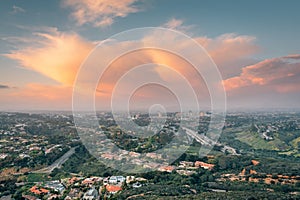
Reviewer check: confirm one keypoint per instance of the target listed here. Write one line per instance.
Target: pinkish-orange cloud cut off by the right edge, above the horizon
(281, 73)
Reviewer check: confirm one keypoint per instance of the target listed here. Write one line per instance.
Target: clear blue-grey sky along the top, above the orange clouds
(274, 23)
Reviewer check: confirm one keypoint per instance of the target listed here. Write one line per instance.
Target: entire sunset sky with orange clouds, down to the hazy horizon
(254, 44)
